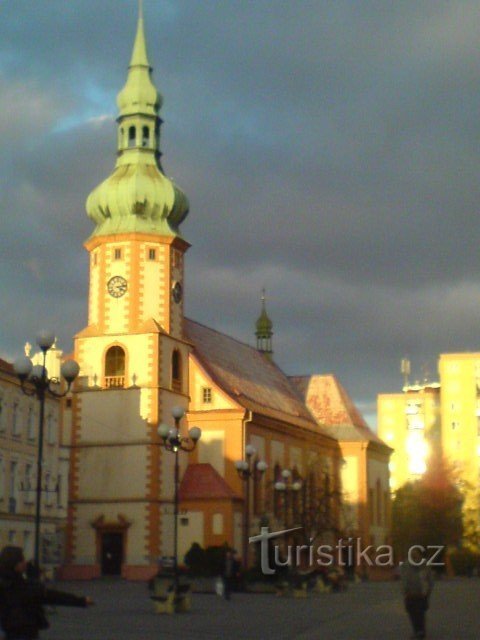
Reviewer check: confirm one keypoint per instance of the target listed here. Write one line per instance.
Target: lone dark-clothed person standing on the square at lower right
(417, 583)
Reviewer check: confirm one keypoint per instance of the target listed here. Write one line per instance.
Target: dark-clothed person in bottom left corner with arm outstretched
(21, 599)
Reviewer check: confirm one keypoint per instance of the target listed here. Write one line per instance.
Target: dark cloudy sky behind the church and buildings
(329, 150)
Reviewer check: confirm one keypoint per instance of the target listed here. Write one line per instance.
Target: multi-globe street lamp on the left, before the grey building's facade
(41, 387)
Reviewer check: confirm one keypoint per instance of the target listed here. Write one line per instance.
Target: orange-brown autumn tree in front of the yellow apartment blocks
(428, 511)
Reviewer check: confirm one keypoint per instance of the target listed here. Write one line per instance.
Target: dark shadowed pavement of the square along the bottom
(368, 611)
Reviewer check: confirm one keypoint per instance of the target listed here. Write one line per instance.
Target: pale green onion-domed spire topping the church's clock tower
(137, 196)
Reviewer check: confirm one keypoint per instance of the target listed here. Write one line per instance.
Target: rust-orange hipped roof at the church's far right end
(331, 405)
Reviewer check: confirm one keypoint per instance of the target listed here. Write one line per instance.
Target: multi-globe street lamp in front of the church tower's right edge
(174, 442)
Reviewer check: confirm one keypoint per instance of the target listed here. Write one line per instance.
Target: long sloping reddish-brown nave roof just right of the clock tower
(248, 376)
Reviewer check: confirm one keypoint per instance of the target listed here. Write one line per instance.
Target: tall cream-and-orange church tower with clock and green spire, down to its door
(133, 357)
